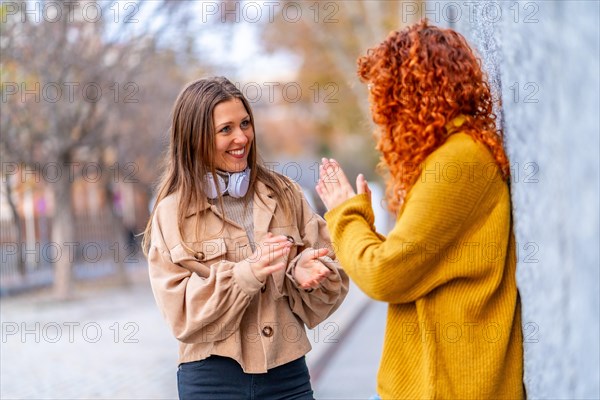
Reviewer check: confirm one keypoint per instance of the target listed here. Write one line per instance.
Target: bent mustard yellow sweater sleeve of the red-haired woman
(405, 266)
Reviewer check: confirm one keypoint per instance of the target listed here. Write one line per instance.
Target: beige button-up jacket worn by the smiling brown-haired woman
(215, 305)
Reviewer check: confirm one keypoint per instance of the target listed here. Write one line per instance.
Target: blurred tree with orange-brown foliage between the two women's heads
(328, 37)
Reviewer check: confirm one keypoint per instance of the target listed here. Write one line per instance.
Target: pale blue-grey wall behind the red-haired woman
(549, 51)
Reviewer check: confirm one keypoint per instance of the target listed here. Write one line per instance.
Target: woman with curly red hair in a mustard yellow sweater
(447, 268)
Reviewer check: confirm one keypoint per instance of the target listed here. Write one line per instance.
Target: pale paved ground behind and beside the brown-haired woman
(112, 343)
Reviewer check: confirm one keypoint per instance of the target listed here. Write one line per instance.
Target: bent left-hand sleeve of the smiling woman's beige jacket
(201, 303)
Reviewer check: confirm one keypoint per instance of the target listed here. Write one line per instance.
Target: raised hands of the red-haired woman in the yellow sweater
(333, 187)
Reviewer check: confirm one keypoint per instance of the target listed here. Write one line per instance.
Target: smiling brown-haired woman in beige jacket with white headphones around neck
(239, 264)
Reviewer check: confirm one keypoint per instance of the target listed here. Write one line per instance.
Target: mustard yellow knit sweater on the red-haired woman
(447, 270)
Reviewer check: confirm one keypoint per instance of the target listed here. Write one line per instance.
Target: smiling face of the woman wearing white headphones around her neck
(233, 136)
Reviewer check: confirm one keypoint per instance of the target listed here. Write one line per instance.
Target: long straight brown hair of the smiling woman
(191, 146)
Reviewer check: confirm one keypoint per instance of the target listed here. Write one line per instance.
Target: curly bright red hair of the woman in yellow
(421, 78)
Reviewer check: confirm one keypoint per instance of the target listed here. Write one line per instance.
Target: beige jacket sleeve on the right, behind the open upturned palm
(314, 306)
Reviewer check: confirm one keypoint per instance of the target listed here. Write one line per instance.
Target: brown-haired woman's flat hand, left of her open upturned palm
(272, 248)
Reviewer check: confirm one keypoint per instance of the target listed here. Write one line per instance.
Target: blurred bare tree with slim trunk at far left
(69, 73)
